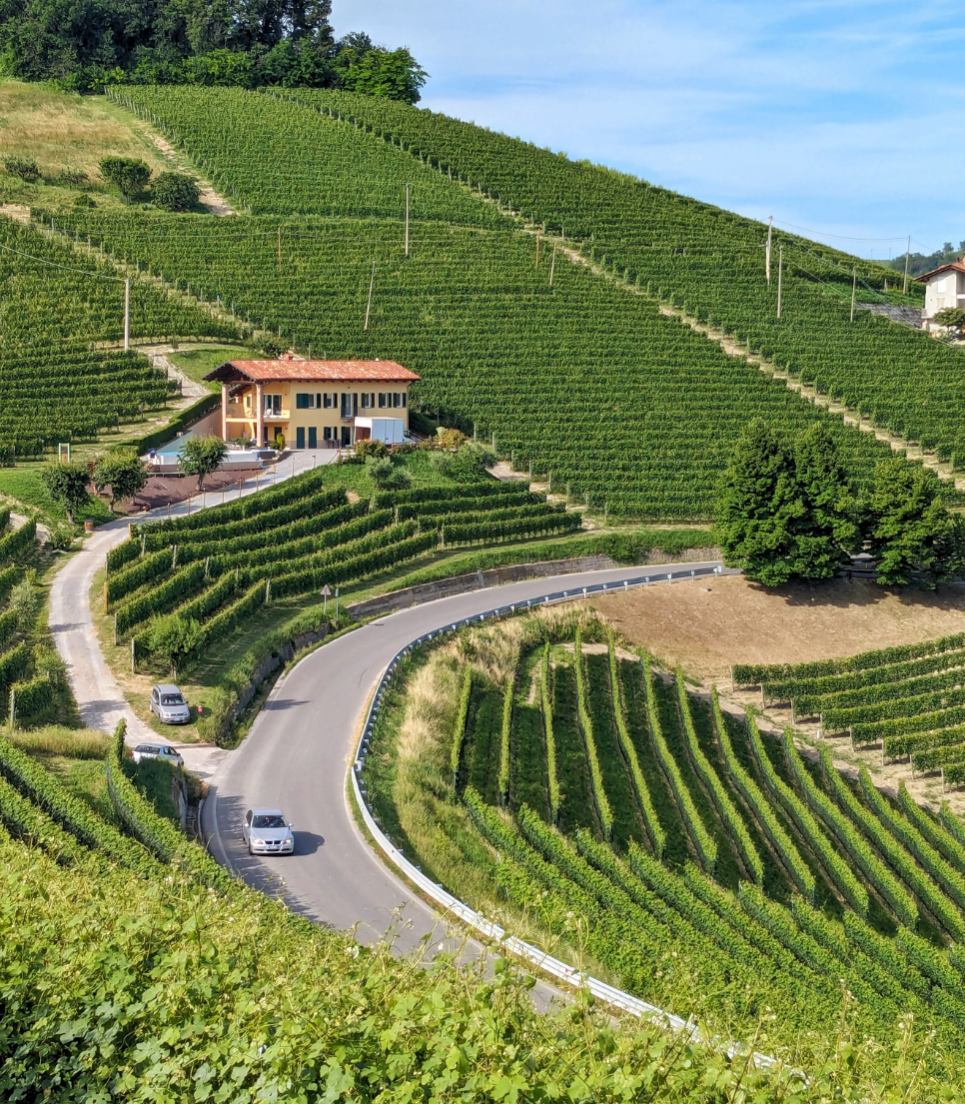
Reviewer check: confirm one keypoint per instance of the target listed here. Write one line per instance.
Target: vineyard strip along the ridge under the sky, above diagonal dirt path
(708, 261)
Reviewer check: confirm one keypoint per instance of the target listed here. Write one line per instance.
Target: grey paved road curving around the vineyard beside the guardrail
(299, 752)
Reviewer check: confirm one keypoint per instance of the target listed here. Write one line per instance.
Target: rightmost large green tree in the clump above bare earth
(909, 530)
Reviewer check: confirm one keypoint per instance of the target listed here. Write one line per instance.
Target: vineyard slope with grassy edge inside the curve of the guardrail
(715, 869)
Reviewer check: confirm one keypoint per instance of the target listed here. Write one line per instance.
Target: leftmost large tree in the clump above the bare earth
(760, 508)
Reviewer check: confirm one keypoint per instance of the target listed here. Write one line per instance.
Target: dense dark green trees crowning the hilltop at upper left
(88, 45)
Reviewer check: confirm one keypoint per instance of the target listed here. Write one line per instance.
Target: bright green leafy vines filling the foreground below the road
(202, 990)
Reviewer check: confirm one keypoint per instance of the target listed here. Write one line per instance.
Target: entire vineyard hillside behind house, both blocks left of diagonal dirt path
(576, 379)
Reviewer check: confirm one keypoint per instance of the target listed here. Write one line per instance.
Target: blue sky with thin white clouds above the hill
(840, 118)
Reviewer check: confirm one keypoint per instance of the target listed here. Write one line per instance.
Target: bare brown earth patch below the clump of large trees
(707, 627)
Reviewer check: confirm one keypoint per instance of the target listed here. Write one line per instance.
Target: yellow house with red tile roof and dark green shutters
(313, 404)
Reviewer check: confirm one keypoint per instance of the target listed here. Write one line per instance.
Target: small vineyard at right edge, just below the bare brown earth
(908, 699)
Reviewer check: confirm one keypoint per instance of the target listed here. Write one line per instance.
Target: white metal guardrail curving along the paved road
(608, 994)
